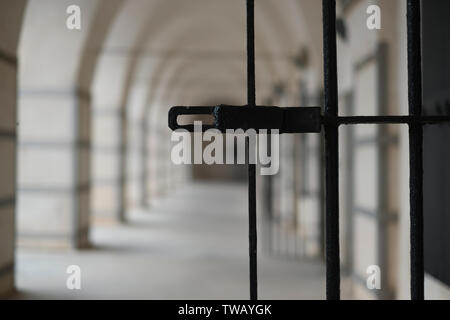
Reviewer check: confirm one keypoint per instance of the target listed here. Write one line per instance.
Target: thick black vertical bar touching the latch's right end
(331, 151)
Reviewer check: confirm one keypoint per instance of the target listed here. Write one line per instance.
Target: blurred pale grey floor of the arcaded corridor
(191, 245)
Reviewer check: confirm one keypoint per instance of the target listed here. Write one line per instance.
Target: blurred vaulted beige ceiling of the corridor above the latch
(174, 50)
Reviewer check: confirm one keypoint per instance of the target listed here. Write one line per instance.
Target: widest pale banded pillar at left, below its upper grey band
(53, 179)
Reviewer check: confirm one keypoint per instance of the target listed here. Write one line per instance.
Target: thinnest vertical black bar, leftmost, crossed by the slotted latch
(251, 96)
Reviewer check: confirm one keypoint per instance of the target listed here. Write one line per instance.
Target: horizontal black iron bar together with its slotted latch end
(286, 120)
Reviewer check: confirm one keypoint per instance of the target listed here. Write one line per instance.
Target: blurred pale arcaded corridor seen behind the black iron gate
(87, 176)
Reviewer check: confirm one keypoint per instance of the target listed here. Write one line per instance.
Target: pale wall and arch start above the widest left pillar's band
(52, 57)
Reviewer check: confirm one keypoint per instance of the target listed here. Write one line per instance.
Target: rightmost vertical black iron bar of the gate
(415, 149)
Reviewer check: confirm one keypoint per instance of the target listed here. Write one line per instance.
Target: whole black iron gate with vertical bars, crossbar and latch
(311, 120)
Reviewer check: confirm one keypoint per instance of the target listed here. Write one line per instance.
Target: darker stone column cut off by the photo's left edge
(11, 14)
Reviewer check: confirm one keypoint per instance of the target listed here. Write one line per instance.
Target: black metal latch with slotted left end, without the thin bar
(286, 120)
